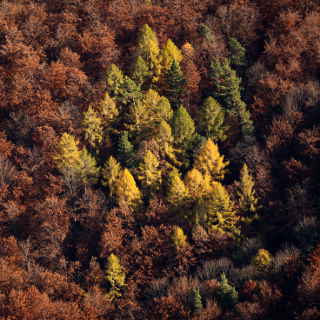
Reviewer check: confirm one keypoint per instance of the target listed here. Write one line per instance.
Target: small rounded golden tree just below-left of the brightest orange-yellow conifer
(197, 184)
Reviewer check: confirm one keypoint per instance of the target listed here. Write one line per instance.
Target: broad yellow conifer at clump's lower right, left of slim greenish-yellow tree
(216, 211)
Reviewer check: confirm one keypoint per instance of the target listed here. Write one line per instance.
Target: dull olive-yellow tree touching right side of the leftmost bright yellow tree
(88, 170)
